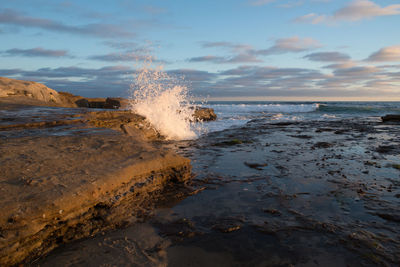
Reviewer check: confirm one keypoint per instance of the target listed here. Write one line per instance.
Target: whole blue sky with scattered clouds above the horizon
(223, 49)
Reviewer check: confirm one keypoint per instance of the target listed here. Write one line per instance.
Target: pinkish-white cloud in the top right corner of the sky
(354, 11)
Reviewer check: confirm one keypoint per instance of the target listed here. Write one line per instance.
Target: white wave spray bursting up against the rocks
(164, 101)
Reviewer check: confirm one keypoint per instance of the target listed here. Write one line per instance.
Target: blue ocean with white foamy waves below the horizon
(237, 113)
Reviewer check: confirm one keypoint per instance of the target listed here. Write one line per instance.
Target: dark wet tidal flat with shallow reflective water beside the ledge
(284, 194)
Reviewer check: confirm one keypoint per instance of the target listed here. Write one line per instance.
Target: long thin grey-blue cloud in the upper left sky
(11, 17)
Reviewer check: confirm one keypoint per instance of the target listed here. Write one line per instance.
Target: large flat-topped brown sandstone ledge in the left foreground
(56, 189)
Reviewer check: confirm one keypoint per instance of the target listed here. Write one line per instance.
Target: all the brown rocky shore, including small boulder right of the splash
(70, 172)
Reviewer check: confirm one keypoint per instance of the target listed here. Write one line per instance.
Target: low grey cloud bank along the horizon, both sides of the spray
(242, 81)
